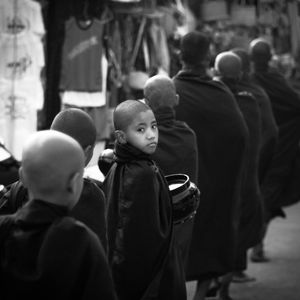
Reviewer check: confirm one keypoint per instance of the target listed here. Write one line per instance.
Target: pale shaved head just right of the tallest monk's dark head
(228, 65)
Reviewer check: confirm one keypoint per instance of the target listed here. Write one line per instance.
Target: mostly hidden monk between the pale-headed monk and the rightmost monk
(269, 133)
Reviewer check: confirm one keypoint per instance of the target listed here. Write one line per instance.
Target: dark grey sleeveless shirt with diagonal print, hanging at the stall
(82, 48)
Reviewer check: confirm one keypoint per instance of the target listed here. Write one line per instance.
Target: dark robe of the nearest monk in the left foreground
(47, 255)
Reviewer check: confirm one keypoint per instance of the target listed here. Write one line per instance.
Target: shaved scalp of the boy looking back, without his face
(126, 111)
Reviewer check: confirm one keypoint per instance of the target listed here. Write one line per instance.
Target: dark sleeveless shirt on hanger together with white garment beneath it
(83, 76)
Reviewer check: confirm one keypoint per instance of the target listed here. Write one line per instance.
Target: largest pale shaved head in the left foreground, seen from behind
(52, 168)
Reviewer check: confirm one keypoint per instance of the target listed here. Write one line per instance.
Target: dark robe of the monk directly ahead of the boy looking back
(177, 153)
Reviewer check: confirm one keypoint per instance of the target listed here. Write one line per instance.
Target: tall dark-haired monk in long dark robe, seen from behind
(210, 109)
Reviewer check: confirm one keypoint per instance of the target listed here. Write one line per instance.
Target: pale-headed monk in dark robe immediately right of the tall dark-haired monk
(228, 67)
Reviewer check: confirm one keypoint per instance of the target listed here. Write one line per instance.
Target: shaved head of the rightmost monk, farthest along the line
(260, 51)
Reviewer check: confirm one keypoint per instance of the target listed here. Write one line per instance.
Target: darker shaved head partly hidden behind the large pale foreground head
(79, 125)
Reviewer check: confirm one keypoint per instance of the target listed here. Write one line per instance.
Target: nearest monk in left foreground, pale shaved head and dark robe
(45, 253)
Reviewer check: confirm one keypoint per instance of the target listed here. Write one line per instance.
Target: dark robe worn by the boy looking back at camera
(142, 255)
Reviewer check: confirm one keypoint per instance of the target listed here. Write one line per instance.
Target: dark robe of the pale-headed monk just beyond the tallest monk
(251, 205)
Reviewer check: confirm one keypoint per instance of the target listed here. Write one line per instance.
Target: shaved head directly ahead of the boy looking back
(160, 91)
